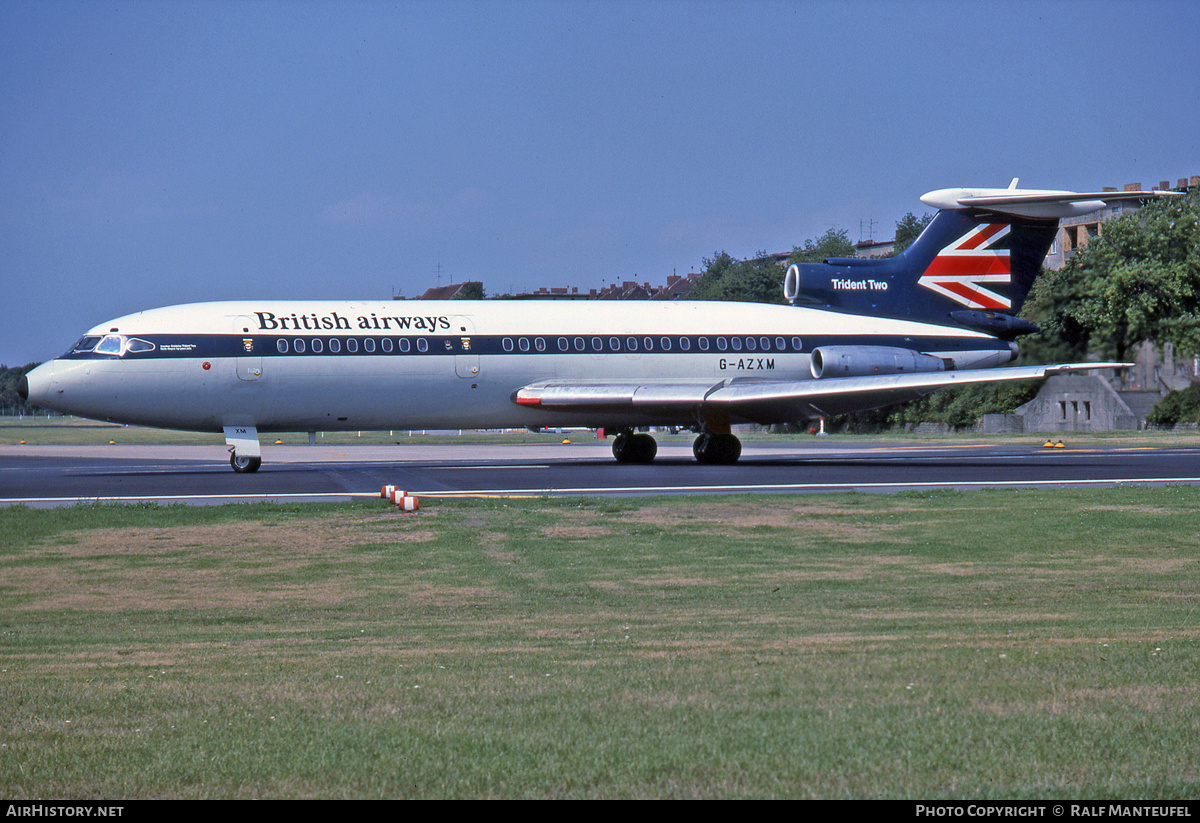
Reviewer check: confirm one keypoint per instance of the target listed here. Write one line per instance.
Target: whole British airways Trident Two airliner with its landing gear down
(855, 335)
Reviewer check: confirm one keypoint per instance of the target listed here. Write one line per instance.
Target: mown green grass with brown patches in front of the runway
(986, 645)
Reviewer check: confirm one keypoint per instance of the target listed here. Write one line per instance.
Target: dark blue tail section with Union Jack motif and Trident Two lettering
(974, 265)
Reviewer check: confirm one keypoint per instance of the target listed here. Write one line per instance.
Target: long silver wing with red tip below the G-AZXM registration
(767, 401)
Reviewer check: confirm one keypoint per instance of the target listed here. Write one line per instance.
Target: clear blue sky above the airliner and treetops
(158, 153)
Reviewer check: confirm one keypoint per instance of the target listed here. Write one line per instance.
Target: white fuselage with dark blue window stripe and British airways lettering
(339, 367)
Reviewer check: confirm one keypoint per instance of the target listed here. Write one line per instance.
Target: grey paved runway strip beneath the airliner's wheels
(58, 476)
